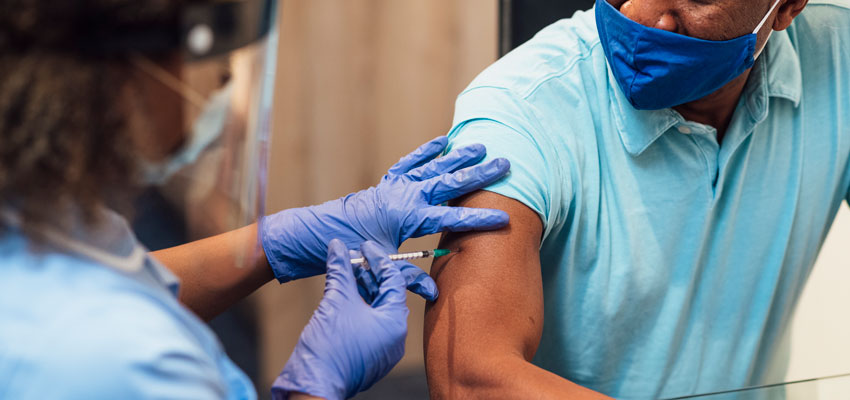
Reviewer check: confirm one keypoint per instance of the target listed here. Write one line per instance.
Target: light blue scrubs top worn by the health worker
(90, 316)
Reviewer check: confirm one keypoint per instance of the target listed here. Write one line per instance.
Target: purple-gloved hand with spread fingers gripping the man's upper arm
(405, 204)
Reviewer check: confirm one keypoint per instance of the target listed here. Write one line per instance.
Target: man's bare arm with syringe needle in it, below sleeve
(485, 327)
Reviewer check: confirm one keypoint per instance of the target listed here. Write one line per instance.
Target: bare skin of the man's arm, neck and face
(483, 331)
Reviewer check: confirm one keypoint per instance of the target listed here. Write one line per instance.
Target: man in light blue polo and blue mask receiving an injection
(662, 228)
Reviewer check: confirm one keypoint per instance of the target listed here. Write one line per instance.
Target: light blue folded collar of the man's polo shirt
(782, 78)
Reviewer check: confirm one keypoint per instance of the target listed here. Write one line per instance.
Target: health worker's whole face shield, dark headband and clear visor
(217, 98)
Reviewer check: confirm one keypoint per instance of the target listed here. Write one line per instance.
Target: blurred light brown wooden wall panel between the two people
(359, 84)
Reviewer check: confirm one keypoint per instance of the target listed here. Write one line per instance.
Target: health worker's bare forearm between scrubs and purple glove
(219, 271)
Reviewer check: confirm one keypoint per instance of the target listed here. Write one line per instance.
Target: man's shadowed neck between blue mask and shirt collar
(716, 109)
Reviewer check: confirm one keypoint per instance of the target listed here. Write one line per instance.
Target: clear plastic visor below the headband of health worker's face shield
(214, 180)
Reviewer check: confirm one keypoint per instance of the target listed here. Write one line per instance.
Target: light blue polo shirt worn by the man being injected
(671, 264)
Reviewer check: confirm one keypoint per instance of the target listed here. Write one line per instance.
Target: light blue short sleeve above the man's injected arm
(508, 127)
